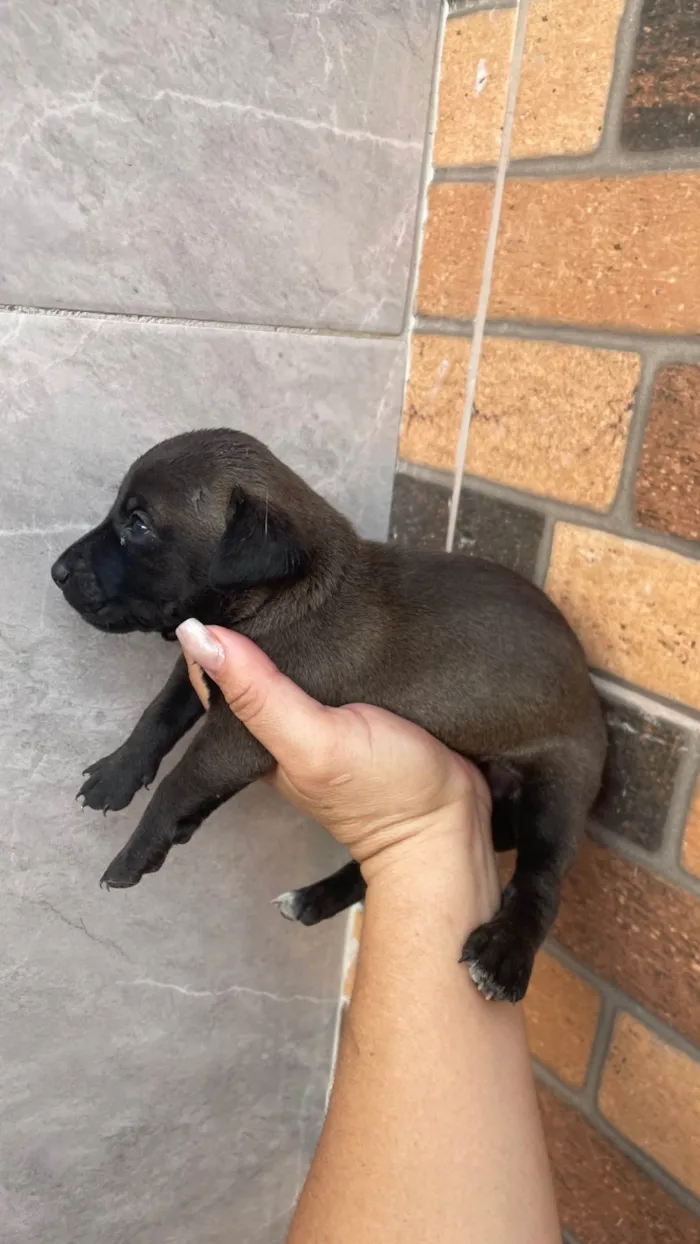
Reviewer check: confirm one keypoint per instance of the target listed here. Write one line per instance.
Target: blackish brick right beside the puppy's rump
(643, 758)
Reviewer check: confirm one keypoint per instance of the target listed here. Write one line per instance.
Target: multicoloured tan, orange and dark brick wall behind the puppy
(558, 349)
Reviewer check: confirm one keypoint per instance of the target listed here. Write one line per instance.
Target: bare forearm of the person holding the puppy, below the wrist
(433, 1133)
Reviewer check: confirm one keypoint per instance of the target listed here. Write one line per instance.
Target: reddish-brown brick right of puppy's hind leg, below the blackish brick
(636, 930)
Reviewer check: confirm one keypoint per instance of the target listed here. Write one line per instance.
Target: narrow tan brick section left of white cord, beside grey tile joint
(435, 401)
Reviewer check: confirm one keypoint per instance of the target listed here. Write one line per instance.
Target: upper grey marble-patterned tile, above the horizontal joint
(256, 162)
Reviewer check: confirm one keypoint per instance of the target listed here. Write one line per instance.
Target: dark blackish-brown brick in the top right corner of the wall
(663, 103)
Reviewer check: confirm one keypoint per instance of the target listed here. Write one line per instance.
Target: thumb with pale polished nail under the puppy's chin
(285, 720)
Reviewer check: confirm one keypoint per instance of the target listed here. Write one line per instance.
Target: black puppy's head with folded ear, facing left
(198, 517)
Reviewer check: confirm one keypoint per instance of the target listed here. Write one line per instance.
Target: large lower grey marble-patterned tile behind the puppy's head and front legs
(165, 1051)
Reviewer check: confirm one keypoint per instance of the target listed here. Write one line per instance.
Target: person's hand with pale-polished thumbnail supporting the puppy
(384, 788)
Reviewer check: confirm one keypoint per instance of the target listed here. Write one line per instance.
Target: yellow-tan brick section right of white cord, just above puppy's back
(553, 420)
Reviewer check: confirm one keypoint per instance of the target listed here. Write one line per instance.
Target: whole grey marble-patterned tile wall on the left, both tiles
(256, 164)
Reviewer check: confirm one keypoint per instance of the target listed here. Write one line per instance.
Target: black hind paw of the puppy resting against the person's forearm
(499, 960)
